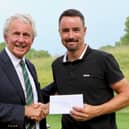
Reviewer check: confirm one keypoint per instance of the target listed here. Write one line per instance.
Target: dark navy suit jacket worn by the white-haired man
(12, 99)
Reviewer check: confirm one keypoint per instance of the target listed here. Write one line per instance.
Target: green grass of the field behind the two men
(43, 66)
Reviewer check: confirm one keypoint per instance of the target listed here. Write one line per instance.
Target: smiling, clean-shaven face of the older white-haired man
(19, 37)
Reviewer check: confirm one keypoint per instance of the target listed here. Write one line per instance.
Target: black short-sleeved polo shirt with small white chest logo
(92, 76)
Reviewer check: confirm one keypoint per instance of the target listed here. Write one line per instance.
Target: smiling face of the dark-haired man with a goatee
(72, 32)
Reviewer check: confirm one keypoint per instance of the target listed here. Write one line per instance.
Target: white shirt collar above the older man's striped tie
(13, 58)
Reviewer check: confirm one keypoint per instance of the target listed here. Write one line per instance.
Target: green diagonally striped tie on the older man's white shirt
(29, 93)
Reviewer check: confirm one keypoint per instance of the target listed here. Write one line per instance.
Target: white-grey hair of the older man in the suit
(25, 18)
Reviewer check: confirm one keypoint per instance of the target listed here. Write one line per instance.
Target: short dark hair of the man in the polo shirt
(72, 13)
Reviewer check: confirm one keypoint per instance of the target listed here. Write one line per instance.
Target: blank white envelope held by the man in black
(62, 104)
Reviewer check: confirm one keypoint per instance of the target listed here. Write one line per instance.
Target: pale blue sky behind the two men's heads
(105, 20)
